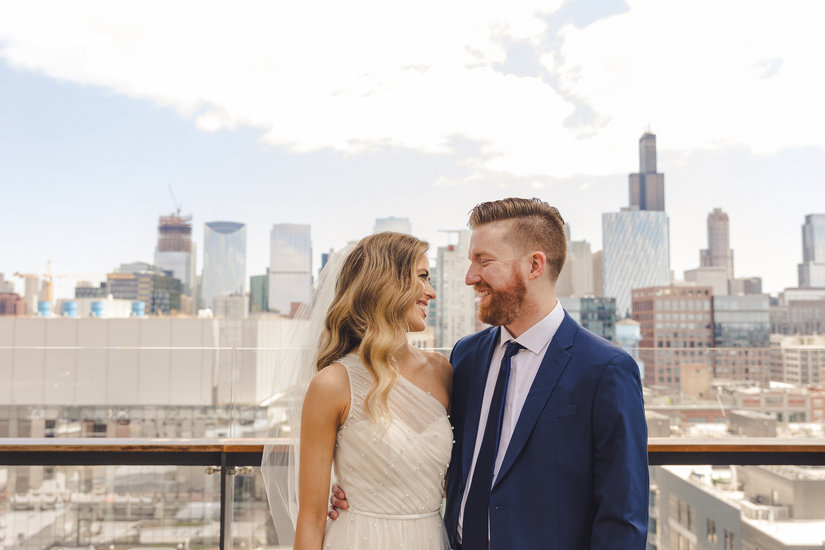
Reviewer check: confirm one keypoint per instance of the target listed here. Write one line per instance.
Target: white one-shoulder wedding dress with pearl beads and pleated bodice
(393, 479)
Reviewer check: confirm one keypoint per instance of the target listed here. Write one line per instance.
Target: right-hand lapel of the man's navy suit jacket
(552, 367)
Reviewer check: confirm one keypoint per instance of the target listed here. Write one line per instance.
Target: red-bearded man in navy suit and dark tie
(550, 445)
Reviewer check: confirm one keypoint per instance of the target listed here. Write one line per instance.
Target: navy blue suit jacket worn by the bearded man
(575, 474)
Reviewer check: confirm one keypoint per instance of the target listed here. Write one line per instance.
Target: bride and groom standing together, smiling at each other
(545, 443)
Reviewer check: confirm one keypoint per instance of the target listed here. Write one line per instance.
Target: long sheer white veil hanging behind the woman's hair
(293, 371)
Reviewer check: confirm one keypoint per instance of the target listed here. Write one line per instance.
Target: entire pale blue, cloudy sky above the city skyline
(334, 114)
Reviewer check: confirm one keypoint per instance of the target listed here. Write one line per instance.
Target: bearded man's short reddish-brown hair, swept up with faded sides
(536, 225)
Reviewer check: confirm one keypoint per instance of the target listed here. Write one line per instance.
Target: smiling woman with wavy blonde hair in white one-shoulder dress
(376, 410)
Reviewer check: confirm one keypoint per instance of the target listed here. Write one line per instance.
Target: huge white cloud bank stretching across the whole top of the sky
(358, 75)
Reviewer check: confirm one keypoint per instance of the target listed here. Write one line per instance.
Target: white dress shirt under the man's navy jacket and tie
(523, 368)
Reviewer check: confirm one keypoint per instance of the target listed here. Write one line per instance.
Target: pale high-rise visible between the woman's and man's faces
(456, 313)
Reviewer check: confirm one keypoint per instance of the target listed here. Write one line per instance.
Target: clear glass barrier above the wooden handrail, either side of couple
(237, 392)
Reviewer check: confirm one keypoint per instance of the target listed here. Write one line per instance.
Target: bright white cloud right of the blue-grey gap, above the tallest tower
(704, 74)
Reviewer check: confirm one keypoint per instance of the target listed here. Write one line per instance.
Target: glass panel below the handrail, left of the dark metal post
(109, 507)
